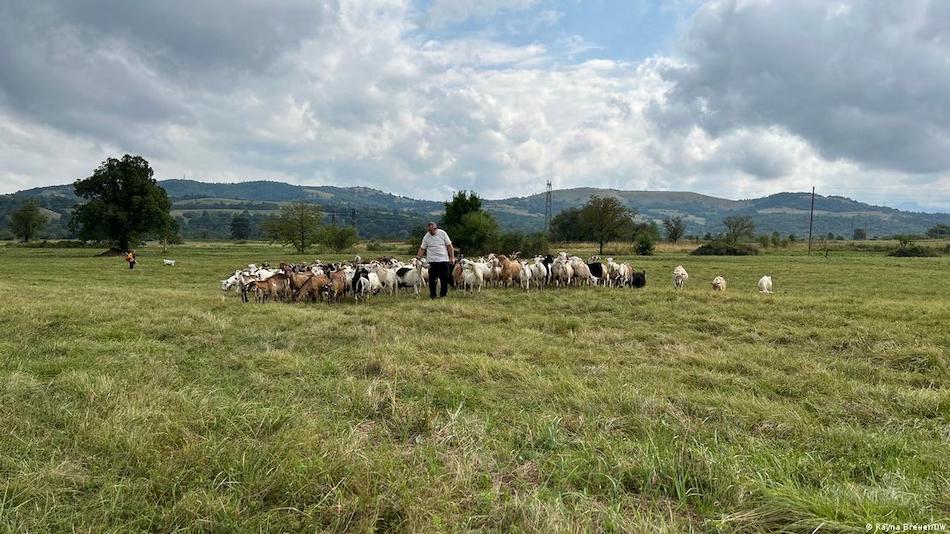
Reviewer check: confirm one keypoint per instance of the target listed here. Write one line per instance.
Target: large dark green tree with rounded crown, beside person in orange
(124, 203)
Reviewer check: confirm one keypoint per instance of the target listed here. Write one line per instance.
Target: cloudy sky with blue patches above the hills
(732, 98)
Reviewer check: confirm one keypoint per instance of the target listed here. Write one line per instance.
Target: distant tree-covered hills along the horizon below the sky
(204, 210)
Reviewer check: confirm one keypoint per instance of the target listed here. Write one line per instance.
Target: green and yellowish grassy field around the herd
(146, 400)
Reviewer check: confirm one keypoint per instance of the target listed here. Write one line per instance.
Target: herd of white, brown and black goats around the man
(330, 282)
